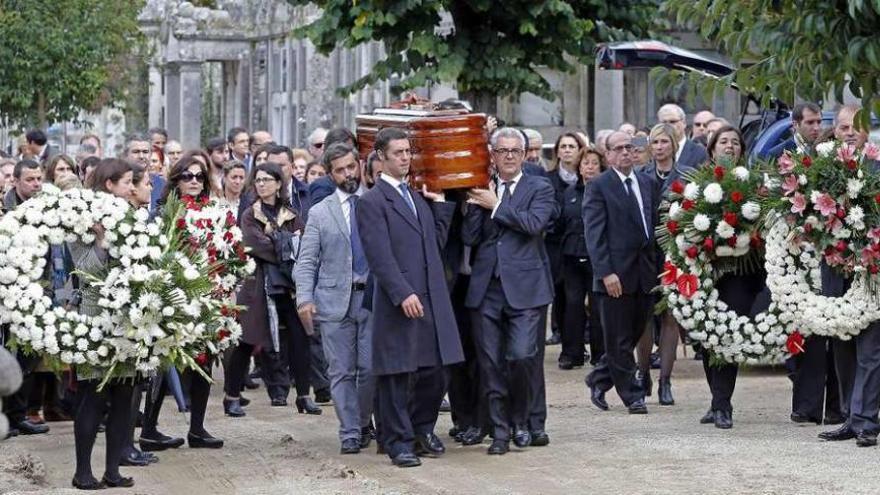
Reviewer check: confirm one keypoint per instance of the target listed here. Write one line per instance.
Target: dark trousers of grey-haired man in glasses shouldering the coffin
(507, 344)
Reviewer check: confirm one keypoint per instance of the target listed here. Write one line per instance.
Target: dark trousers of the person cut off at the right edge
(865, 401)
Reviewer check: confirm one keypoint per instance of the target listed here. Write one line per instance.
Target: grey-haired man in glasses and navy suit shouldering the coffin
(511, 286)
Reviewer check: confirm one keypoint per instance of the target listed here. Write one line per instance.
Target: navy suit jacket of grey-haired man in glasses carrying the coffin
(514, 239)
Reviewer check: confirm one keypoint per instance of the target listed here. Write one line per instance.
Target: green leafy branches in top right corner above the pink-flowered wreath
(808, 48)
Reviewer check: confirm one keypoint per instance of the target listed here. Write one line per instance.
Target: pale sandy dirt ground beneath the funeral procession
(277, 451)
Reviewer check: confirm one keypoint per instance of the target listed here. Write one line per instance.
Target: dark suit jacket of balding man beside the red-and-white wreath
(615, 235)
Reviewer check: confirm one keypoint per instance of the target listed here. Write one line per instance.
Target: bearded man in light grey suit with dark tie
(331, 274)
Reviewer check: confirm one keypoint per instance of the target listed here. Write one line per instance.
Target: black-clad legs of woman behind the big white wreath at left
(115, 400)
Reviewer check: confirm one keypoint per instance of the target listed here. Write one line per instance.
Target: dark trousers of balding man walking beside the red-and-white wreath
(624, 320)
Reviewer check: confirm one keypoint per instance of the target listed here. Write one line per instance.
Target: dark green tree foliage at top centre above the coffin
(494, 47)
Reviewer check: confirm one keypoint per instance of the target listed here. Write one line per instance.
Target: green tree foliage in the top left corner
(63, 57)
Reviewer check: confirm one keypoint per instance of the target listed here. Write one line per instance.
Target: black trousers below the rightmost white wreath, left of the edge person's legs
(815, 392)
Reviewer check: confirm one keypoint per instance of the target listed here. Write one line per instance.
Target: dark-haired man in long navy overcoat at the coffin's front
(414, 333)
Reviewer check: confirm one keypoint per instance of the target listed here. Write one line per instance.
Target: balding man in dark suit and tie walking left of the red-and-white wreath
(619, 219)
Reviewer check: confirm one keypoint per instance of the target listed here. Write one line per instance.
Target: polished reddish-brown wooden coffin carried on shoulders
(450, 147)
